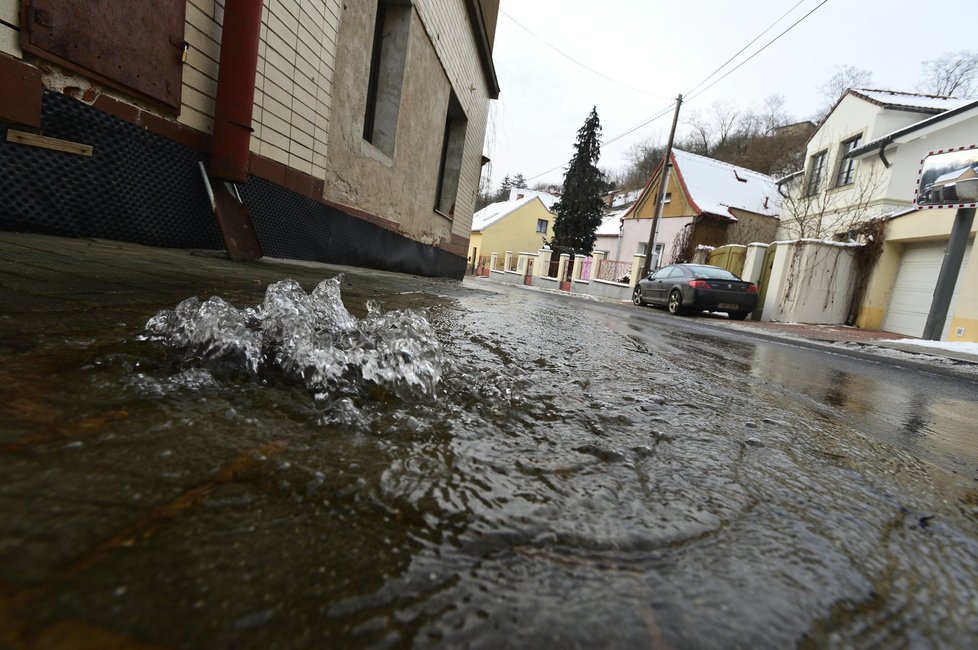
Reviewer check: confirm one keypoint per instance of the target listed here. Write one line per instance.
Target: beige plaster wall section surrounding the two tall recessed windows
(401, 187)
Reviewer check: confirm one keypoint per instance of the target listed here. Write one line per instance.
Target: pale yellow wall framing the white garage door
(920, 226)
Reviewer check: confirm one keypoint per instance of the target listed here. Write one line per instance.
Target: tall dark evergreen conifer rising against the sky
(580, 207)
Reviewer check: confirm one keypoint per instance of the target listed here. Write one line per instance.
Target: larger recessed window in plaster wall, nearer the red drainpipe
(386, 73)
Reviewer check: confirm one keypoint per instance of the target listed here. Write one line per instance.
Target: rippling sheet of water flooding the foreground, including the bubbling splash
(491, 471)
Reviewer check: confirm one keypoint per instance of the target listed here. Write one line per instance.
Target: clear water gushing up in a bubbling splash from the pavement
(307, 338)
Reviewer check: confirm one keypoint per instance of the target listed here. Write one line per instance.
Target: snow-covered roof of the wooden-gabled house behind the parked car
(717, 186)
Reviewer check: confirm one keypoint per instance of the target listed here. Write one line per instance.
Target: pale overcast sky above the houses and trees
(645, 52)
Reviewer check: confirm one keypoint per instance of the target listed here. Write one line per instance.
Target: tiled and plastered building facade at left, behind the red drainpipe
(363, 139)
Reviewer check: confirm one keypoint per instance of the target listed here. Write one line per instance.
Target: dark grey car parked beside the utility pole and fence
(697, 287)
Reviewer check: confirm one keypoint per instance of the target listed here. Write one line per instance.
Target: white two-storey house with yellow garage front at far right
(863, 164)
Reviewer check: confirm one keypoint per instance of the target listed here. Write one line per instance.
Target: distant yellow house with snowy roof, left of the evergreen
(523, 224)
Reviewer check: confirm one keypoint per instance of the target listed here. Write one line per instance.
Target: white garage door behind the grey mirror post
(913, 290)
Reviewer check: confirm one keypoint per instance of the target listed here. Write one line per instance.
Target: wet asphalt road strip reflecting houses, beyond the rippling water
(932, 415)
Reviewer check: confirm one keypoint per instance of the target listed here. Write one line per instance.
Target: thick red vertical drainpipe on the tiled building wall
(236, 90)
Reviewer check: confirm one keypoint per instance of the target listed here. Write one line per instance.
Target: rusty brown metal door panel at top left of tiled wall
(133, 46)
